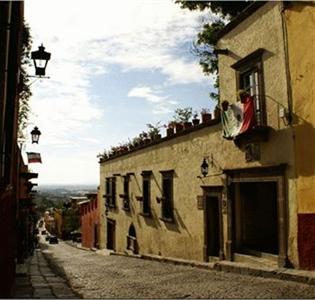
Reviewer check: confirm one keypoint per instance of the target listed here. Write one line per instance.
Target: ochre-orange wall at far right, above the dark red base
(300, 20)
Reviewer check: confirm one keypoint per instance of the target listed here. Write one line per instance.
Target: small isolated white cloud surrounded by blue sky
(161, 104)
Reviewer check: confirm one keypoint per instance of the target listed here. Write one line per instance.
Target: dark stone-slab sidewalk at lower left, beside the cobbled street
(36, 280)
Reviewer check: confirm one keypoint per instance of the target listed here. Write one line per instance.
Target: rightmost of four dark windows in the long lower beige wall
(167, 197)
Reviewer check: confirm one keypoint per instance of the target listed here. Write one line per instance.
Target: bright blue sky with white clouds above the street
(115, 67)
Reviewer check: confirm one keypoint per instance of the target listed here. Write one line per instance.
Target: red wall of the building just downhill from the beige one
(89, 219)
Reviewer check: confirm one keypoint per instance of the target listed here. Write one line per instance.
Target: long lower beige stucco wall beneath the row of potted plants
(184, 155)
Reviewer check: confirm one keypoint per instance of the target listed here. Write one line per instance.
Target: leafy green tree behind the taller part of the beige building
(206, 39)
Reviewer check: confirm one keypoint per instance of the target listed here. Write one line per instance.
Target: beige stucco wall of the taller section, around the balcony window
(264, 29)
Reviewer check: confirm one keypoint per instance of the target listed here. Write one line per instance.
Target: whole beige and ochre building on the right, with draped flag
(254, 195)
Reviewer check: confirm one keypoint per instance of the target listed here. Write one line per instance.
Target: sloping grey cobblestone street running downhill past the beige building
(97, 276)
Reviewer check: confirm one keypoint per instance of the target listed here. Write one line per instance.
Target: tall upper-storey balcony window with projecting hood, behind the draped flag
(249, 76)
